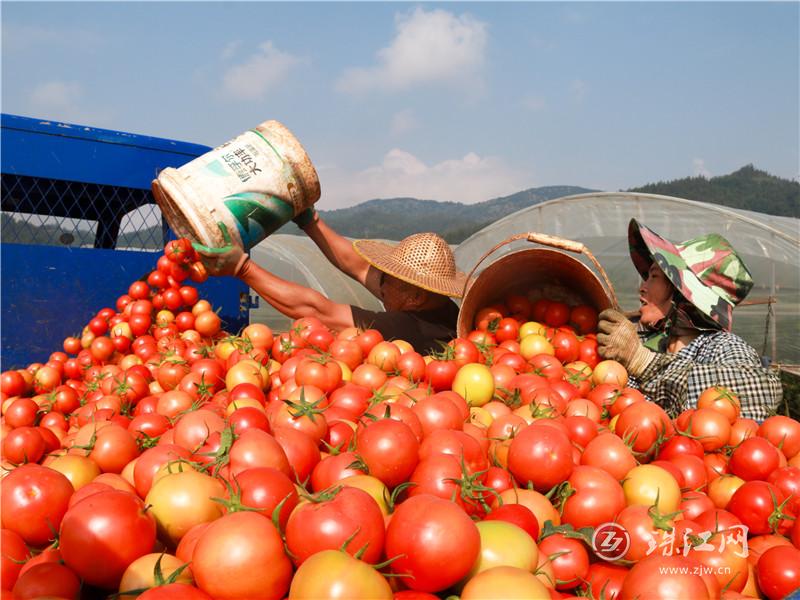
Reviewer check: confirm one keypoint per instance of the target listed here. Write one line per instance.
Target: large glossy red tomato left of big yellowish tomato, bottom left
(102, 534)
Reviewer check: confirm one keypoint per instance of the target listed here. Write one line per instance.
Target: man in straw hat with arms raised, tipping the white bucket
(415, 279)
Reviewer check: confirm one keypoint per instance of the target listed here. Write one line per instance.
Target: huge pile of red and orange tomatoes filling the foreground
(159, 456)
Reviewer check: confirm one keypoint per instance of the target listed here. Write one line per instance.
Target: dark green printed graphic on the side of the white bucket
(257, 215)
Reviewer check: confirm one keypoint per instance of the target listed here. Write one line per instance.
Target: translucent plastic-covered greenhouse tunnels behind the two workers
(769, 319)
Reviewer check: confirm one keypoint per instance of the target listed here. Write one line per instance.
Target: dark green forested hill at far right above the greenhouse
(748, 188)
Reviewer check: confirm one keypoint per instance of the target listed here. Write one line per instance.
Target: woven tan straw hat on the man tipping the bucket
(422, 259)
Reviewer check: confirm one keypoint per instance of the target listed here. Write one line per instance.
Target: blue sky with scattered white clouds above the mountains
(445, 101)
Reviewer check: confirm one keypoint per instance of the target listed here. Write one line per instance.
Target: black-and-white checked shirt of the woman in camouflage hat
(675, 381)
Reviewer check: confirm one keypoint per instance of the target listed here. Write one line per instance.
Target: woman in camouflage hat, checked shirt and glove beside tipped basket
(683, 343)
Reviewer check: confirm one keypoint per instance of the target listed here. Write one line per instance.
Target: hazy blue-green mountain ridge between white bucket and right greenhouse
(395, 218)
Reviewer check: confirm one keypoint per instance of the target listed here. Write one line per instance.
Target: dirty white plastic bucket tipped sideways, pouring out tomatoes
(254, 183)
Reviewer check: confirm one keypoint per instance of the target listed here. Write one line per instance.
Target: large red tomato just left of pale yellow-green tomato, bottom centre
(435, 541)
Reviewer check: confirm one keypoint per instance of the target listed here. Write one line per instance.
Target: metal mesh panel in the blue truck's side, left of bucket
(76, 214)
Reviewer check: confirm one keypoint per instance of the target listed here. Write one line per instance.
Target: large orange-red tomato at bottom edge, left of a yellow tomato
(229, 559)
